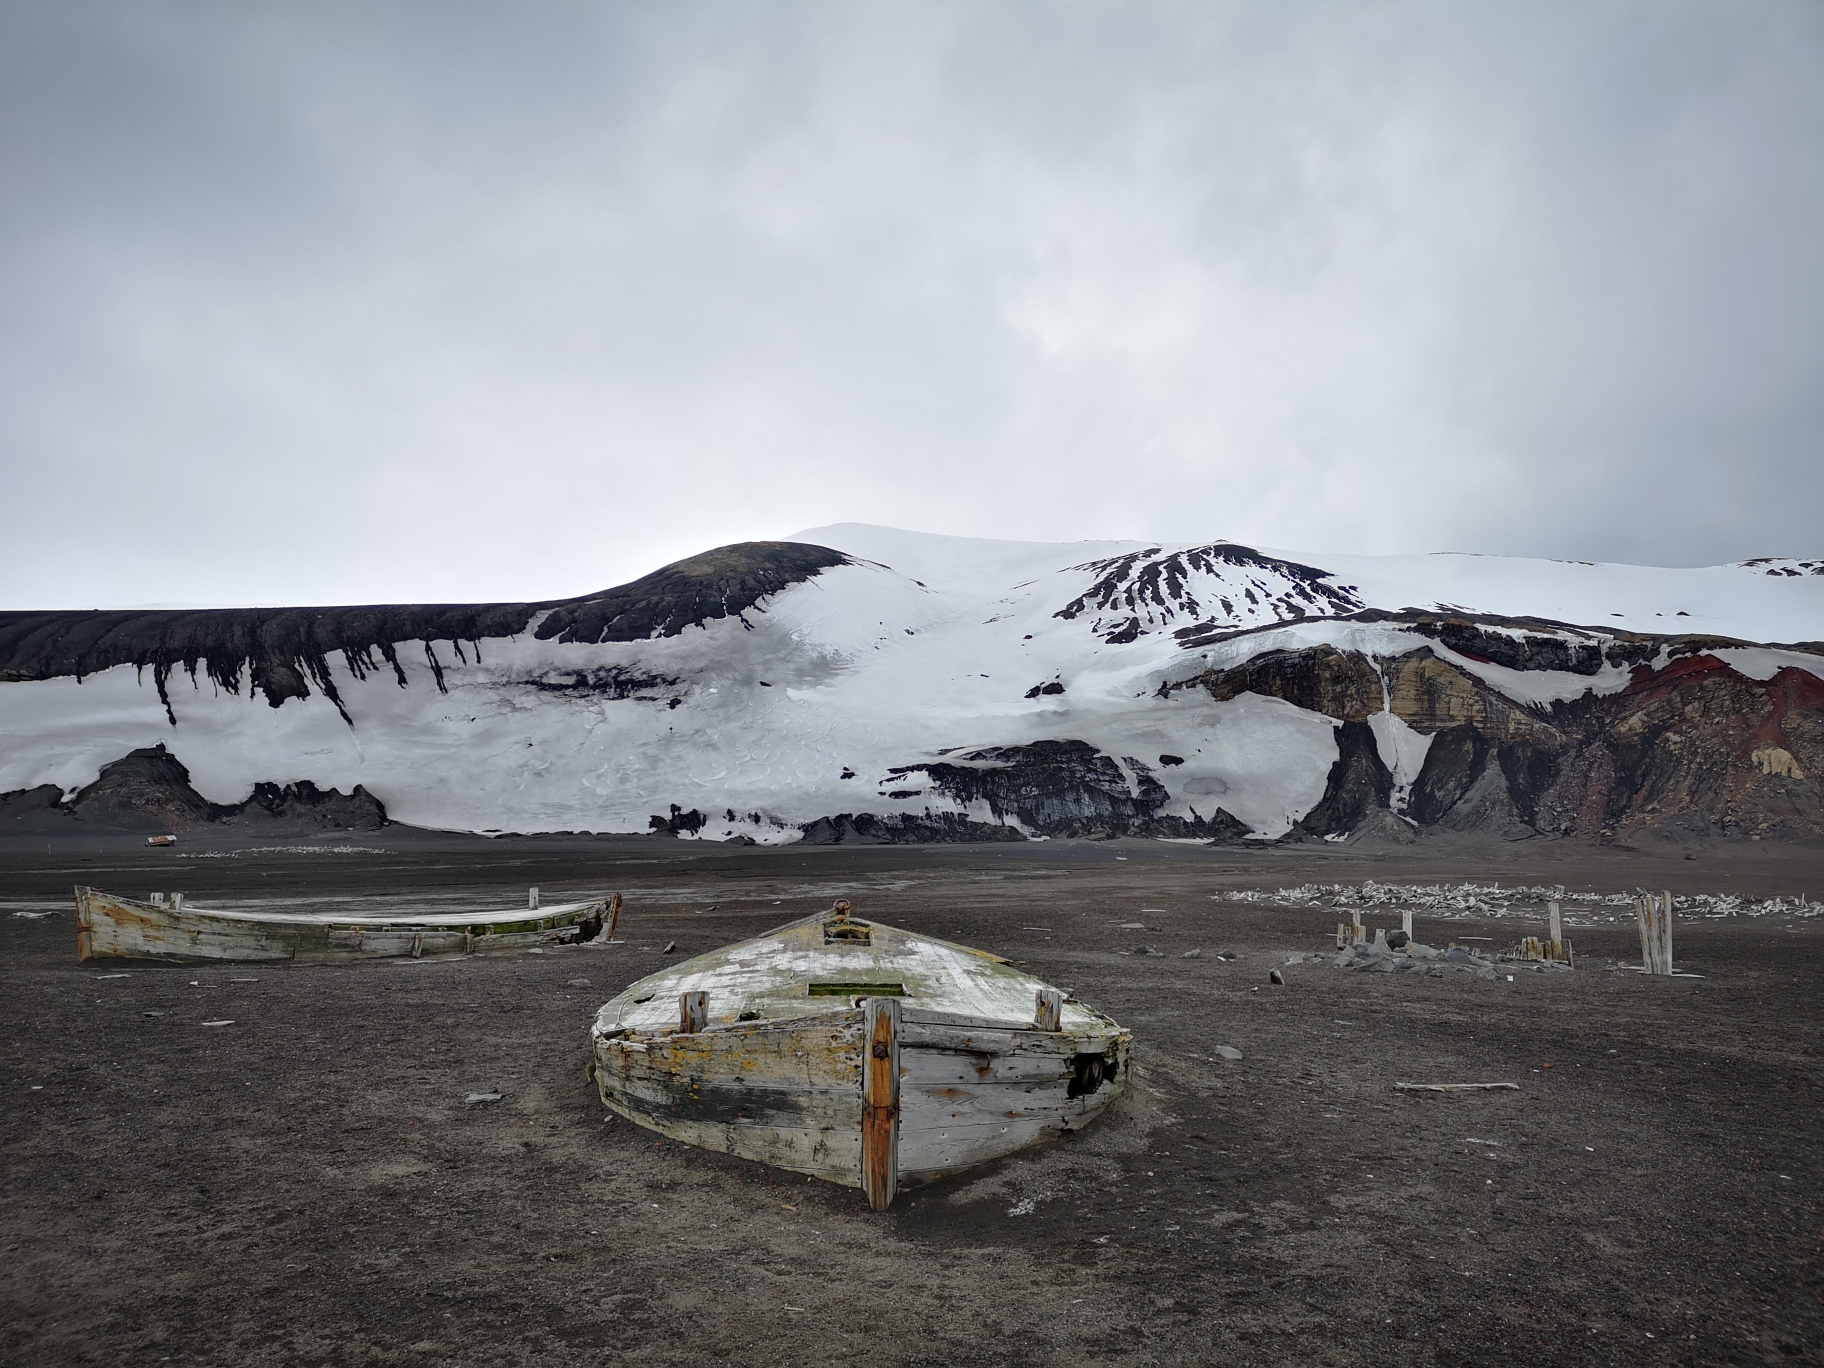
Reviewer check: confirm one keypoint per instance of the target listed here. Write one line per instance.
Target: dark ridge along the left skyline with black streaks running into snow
(284, 652)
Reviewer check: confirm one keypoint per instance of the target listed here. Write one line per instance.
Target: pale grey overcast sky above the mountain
(486, 302)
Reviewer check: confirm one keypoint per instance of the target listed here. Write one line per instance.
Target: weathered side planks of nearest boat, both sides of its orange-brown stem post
(791, 1092)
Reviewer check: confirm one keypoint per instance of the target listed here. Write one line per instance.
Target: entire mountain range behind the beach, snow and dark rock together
(864, 683)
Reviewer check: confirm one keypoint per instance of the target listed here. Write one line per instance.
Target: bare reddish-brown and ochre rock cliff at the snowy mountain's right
(1692, 749)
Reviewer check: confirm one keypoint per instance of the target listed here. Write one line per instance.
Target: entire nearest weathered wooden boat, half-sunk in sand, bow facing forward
(856, 1053)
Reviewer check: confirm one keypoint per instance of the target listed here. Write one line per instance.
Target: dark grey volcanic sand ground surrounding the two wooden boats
(307, 1187)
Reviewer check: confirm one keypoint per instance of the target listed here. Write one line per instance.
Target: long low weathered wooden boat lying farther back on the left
(165, 928)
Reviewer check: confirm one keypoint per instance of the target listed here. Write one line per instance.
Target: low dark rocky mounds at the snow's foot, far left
(149, 791)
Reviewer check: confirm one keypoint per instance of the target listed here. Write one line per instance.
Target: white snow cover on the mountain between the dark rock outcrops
(829, 696)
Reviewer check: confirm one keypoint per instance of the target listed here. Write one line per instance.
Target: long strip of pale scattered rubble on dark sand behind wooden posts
(1491, 900)
